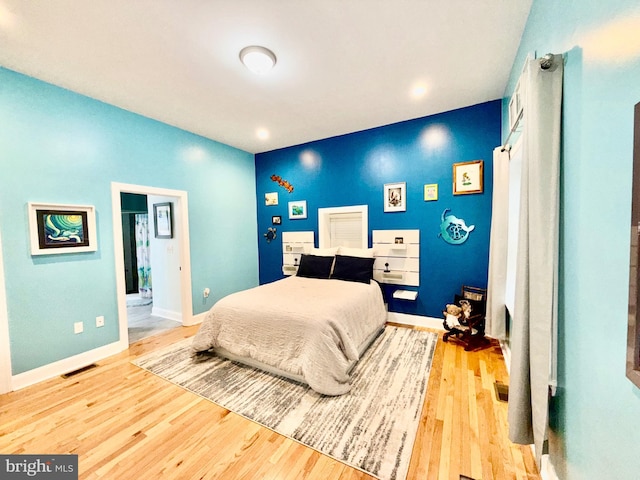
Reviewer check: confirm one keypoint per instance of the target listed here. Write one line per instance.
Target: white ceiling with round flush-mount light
(343, 65)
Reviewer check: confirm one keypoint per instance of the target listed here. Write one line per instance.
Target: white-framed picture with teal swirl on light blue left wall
(55, 228)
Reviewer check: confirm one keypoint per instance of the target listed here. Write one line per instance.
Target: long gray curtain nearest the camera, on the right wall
(535, 311)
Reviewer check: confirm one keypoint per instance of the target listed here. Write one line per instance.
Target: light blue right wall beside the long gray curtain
(596, 415)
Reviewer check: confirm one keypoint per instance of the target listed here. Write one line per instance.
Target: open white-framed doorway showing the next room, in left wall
(170, 257)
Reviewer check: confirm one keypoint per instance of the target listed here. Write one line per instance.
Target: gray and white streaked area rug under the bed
(371, 428)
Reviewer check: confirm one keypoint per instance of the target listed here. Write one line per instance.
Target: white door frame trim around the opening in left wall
(182, 228)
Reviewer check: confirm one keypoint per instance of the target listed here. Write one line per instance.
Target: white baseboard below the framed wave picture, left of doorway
(65, 365)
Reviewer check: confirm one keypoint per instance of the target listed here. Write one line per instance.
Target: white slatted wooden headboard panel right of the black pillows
(397, 257)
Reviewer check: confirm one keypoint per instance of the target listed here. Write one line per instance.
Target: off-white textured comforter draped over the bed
(307, 327)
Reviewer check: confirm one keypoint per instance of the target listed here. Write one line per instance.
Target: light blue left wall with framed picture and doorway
(60, 147)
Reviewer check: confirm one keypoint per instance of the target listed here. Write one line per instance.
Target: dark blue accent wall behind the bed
(352, 170)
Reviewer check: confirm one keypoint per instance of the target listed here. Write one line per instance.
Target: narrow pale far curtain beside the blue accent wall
(496, 310)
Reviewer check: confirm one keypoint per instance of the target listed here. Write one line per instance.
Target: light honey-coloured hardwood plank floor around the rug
(125, 423)
